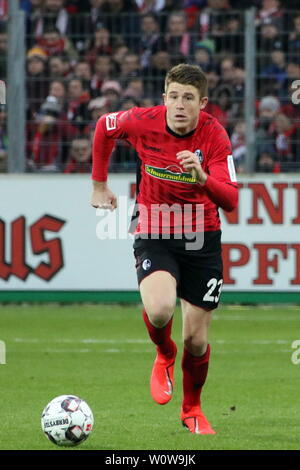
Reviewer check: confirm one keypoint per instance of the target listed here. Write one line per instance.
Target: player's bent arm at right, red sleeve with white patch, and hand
(219, 182)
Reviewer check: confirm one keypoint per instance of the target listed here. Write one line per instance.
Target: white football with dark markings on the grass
(67, 420)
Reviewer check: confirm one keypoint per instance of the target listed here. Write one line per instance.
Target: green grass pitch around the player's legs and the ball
(102, 353)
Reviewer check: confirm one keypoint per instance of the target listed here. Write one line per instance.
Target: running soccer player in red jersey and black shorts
(184, 163)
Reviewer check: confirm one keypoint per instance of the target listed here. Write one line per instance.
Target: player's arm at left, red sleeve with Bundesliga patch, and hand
(109, 127)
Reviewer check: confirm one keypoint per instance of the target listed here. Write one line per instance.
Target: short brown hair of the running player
(187, 74)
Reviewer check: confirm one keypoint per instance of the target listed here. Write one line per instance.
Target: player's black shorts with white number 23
(198, 272)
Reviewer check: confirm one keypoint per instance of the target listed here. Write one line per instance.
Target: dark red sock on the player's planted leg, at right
(195, 370)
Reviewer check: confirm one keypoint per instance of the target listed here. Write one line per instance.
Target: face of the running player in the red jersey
(183, 103)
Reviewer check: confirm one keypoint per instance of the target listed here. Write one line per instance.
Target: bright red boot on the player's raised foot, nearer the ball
(162, 377)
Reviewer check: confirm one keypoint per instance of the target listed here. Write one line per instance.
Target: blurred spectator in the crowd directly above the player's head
(178, 40)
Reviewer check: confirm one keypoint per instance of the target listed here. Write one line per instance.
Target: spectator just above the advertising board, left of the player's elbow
(80, 156)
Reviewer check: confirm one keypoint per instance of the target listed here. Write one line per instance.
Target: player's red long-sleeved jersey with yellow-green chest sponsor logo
(162, 180)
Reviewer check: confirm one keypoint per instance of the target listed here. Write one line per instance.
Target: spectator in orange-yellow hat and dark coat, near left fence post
(36, 80)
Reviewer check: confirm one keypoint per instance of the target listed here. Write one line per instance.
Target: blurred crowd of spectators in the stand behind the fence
(86, 58)
